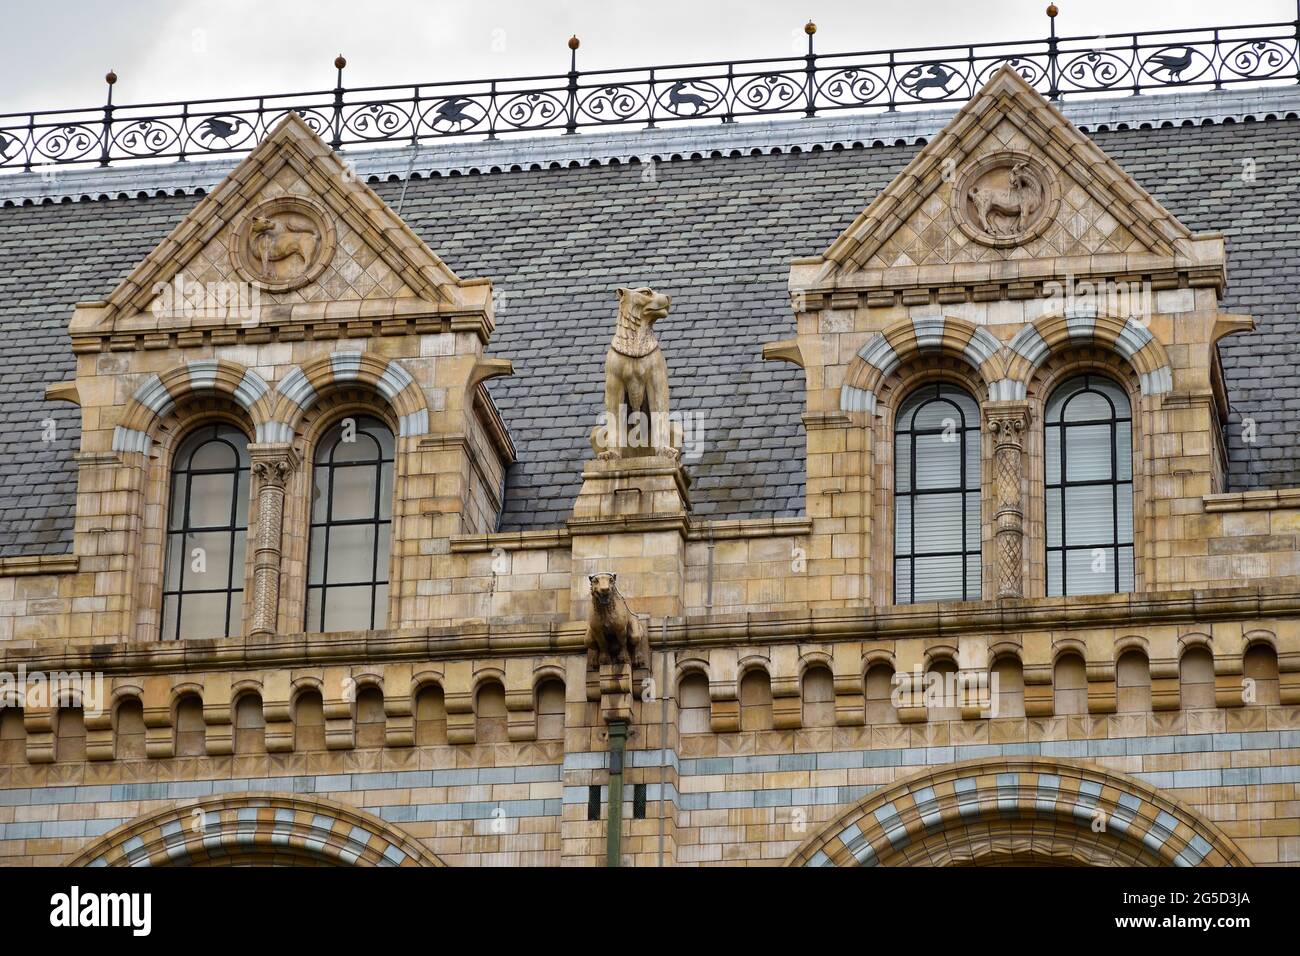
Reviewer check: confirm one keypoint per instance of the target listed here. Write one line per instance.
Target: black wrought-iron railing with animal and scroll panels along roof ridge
(808, 85)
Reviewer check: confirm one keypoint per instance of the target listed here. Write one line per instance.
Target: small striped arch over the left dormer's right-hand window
(304, 386)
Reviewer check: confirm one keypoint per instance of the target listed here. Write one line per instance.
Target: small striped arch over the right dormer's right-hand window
(1128, 338)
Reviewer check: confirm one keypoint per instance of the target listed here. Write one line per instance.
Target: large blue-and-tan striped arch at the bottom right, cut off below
(1020, 811)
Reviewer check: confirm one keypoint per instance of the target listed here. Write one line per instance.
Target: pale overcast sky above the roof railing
(58, 51)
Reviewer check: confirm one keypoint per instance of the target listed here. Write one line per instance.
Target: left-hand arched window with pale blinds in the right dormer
(938, 498)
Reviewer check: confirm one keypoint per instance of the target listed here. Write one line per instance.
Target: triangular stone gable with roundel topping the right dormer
(1087, 205)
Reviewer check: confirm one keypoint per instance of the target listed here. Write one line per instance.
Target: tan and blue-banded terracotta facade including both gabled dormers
(782, 715)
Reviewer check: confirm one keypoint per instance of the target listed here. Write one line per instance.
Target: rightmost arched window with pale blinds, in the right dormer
(1090, 488)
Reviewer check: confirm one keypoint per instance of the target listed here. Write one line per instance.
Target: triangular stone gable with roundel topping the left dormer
(294, 222)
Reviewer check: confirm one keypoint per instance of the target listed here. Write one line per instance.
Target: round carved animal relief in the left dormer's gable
(283, 244)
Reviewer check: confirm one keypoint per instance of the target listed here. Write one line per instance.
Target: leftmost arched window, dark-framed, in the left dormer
(206, 534)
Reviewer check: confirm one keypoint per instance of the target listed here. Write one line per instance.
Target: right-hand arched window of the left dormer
(348, 578)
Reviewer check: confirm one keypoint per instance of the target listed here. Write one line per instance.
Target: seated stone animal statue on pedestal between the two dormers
(636, 379)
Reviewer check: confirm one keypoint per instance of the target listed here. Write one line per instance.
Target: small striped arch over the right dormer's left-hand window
(890, 348)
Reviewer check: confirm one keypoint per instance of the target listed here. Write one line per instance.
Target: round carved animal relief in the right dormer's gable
(1006, 200)
